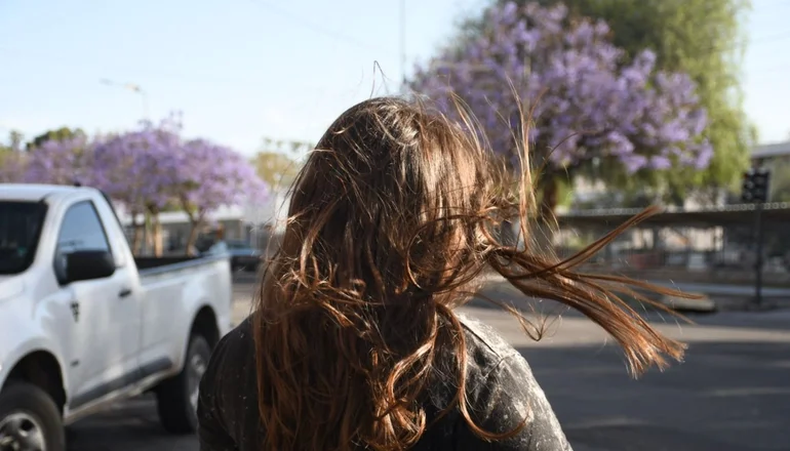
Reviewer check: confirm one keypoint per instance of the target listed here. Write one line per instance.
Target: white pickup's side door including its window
(104, 336)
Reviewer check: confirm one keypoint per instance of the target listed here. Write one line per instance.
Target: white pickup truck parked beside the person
(83, 324)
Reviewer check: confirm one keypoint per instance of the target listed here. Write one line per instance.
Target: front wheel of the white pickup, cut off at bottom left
(30, 420)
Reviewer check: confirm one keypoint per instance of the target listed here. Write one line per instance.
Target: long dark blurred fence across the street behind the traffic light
(713, 245)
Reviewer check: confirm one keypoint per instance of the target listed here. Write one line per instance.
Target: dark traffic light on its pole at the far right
(755, 191)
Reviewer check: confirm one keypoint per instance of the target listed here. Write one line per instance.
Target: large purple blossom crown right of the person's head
(587, 103)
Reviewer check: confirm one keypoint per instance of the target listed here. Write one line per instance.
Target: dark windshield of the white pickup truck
(20, 228)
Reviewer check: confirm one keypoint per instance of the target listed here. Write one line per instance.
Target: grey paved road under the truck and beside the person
(733, 392)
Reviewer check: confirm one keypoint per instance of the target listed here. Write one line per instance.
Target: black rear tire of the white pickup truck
(177, 397)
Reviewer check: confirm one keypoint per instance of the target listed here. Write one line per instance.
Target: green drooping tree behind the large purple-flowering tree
(701, 38)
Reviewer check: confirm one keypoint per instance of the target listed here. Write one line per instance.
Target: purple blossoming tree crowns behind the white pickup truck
(149, 169)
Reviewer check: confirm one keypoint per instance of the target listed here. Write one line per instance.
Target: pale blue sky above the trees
(242, 70)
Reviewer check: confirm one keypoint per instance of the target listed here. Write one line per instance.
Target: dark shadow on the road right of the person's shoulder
(725, 397)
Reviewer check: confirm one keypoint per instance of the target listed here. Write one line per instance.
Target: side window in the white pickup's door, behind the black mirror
(81, 230)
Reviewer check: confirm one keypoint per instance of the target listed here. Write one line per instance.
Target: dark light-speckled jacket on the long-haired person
(501, 392)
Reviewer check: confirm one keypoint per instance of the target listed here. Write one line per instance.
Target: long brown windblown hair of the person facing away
(391, 221)
